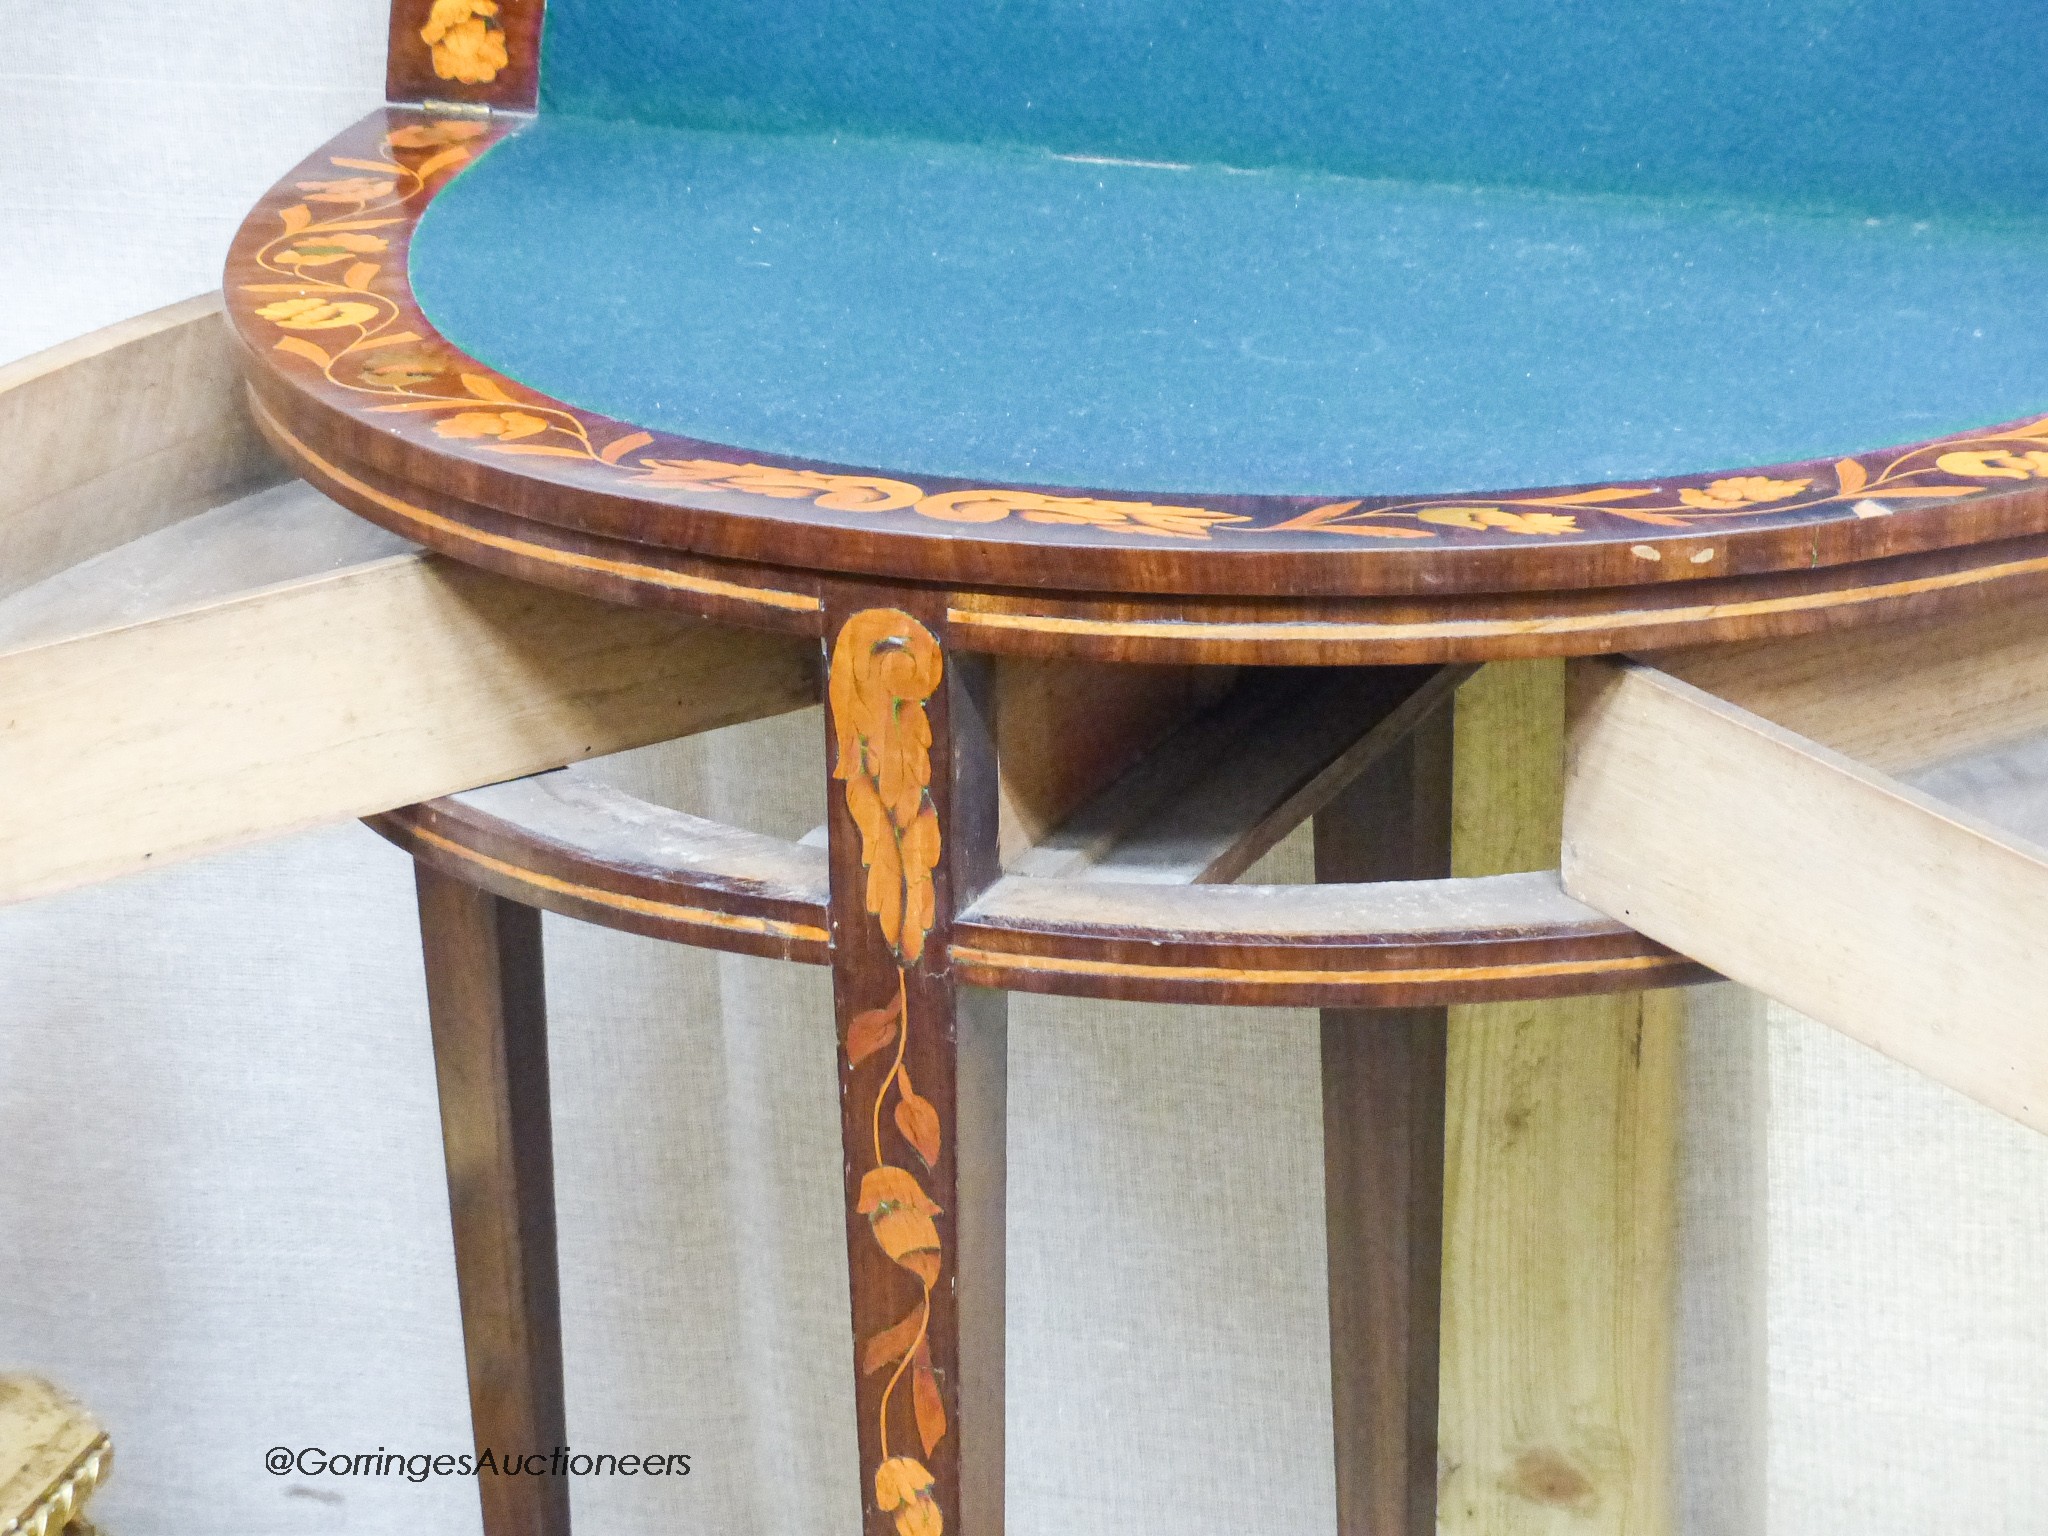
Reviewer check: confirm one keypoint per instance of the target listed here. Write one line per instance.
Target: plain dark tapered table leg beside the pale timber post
(1383, 1164)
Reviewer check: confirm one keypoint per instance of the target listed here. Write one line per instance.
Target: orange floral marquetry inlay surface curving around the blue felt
(337, 300)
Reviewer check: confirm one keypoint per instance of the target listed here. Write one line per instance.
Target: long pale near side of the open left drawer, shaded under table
(335, 697)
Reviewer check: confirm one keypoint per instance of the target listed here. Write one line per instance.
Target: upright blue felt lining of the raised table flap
(1879, 105)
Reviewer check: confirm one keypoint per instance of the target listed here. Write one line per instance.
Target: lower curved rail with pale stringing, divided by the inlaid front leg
(593, 853)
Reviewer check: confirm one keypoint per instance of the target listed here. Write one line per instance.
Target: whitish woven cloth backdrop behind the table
(222, 1207)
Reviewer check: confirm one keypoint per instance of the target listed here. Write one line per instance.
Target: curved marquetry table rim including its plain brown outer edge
(321, 294)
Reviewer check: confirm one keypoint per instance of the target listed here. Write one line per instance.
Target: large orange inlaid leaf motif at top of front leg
(884, 667)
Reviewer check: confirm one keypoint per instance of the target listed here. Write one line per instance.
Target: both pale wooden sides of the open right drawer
(1742, 808)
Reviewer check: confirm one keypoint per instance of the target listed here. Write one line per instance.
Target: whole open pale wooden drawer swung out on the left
(271, 663)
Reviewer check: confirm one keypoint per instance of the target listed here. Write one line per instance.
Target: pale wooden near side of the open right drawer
(1793, 869)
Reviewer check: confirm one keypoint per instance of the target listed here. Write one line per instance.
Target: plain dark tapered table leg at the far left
(488, 1009)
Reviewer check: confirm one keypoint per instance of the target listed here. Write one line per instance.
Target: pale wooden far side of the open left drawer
(122, 433)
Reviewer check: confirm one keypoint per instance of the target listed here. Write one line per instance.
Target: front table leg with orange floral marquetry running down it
(923, 1070)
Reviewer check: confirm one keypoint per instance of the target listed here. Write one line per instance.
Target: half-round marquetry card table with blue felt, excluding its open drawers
(1150, 415)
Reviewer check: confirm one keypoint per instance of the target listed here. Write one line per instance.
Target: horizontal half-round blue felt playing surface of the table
(1017, 316)
